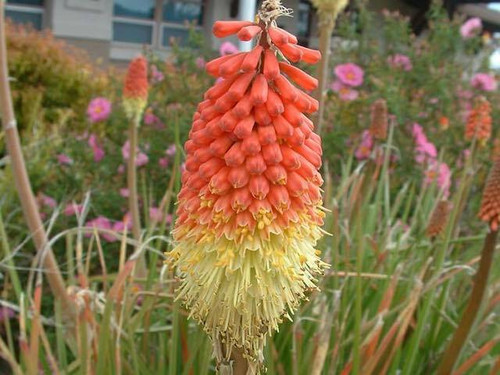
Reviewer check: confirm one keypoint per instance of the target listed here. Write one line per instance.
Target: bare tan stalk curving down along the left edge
(22, 183)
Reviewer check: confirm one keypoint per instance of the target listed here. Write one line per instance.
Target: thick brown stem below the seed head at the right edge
(456, 344)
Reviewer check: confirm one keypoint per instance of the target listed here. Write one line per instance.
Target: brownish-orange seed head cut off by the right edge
(490, 205)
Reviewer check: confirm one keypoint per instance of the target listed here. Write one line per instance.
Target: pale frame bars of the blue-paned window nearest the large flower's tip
(157, 24)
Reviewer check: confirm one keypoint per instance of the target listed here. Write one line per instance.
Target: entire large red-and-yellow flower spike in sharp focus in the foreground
(250, 208)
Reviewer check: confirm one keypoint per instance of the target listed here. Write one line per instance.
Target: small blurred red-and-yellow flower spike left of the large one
(135, 90)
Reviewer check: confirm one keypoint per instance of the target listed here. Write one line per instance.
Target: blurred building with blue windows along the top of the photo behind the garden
(114, 30)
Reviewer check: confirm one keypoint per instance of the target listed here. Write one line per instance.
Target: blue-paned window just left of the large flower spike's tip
(155, 22)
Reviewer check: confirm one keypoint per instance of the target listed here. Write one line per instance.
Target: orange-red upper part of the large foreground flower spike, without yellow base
(250, 139)
